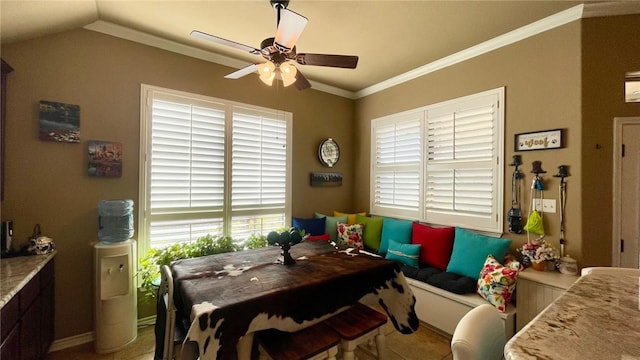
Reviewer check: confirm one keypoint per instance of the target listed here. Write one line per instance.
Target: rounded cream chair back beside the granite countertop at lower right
(479, 335)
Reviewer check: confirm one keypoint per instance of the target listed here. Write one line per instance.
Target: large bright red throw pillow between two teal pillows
(437, 244)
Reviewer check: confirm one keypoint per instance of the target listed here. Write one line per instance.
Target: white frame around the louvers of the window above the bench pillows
(493, 225)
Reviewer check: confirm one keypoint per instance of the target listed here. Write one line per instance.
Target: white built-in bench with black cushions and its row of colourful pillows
(451, 270)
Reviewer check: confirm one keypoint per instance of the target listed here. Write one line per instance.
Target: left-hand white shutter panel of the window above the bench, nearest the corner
(396, 169)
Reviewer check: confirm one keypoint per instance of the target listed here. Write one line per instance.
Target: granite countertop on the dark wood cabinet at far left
(16, 272)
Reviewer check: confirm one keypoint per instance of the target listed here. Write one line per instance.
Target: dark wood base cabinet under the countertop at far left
(27, 319)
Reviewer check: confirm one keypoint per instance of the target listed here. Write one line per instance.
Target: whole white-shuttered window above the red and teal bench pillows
(442, 164)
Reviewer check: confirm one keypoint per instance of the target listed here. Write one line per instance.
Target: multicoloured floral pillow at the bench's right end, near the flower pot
(497, 282)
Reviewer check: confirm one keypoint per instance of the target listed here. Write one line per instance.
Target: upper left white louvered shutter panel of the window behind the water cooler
(187, 154)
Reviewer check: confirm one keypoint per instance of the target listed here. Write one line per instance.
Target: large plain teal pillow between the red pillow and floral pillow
(470, 250)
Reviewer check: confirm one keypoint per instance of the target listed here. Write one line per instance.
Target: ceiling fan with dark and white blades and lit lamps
(280, 51)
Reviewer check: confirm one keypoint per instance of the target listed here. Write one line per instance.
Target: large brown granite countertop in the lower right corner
(598, 317)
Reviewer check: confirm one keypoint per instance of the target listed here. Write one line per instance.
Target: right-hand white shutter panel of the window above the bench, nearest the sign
(462, 143)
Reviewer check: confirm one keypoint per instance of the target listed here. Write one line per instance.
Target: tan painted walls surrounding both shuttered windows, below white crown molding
(550, 79)
